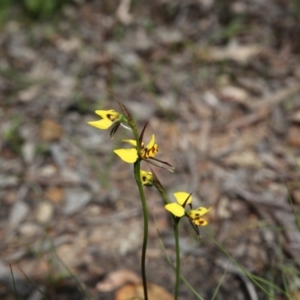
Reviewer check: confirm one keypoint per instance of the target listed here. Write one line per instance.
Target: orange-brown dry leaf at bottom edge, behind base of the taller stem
(135, 291)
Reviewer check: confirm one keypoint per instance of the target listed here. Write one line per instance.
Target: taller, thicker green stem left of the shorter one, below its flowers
(137, 174)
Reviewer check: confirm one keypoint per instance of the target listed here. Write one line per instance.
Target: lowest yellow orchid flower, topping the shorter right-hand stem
(178, 209)
